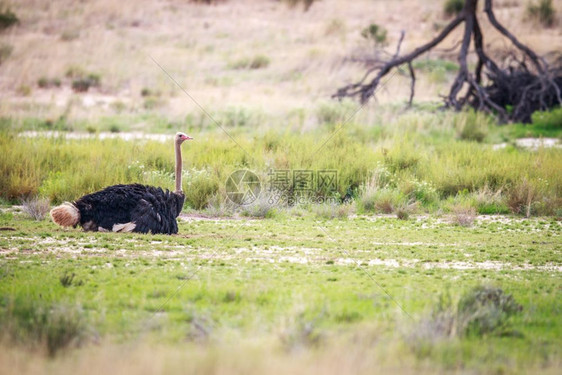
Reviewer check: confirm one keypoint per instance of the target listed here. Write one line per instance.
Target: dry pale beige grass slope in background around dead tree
(198, 44)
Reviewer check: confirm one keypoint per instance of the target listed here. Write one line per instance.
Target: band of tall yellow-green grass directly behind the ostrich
(425, 157)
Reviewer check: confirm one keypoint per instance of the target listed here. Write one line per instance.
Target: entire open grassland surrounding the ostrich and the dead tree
(437, 250)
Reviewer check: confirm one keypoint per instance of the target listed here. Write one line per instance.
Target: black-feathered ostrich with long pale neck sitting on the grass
(127, 208)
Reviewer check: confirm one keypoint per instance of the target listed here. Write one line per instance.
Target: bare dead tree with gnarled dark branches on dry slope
(512, 93)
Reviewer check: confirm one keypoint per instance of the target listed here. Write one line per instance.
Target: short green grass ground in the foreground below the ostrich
(291, 284)
